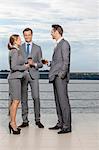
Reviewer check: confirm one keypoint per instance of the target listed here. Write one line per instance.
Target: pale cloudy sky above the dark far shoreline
(79, 19)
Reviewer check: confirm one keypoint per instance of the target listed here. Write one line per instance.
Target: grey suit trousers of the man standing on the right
(62, 102)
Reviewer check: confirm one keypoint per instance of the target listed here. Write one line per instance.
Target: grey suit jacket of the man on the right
(60, 64)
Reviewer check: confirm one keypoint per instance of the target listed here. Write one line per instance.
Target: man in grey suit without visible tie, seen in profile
(59, 76)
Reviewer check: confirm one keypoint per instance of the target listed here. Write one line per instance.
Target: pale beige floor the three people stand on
(84, 136)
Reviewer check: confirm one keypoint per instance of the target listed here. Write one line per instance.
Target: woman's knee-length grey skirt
(14, 89)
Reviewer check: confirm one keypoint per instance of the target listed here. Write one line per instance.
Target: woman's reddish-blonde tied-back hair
(12, 40)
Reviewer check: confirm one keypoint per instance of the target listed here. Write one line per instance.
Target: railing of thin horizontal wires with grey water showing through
(83, 94)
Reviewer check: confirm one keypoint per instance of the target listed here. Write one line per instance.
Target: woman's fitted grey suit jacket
(16, 63)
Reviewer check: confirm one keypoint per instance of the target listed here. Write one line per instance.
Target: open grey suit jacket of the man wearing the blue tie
(36, 55)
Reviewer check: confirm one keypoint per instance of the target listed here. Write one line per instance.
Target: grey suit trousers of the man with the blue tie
(34, 85)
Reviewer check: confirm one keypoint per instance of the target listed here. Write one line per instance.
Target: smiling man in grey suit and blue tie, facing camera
(32, 51)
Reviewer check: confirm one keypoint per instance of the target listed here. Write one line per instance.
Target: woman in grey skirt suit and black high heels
(17, 68)
